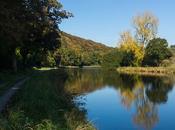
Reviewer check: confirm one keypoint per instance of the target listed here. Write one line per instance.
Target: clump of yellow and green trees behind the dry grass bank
(143, 48)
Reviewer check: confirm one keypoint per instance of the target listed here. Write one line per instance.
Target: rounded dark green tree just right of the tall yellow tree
(156, 51)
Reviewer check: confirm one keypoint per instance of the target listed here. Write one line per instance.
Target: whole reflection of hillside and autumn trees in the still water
(142, 92)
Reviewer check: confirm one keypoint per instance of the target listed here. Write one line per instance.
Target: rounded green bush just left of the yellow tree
(112, 59)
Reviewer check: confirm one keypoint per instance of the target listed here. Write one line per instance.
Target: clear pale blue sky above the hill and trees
(104, 20)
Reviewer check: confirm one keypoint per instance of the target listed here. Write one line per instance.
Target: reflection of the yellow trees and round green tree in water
(146, 94)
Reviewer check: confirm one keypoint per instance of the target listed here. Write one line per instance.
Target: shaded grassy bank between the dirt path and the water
(44, 104)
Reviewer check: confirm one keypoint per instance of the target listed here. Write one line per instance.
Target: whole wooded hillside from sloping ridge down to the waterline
(76, 51)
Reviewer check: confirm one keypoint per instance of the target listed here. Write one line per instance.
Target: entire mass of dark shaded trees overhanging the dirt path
(29, 31)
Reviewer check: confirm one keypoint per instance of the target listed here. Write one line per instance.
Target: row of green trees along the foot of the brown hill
(78, 57)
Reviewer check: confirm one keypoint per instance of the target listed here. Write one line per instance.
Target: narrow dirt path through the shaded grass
(4, 99)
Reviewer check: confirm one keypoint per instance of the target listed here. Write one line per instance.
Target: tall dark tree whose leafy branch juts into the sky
(44, 32)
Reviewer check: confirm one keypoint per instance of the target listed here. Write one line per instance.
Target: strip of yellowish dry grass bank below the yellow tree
(159, 71)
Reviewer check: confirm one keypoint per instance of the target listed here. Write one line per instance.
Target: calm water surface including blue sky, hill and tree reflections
(118, 102)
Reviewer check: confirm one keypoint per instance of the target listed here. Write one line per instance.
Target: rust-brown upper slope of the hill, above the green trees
(74, 42)
